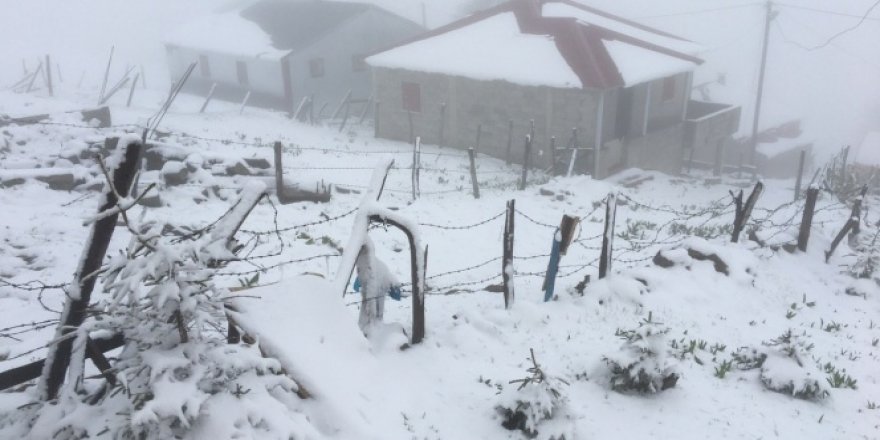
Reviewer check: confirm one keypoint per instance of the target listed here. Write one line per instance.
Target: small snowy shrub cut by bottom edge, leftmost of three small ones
(534, 403)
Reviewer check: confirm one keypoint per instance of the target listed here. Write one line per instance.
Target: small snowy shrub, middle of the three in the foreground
(642, 363)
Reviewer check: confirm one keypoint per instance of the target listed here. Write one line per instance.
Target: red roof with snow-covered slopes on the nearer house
(556, 43)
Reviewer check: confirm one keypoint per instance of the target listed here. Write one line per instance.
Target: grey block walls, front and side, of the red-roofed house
(489, 107)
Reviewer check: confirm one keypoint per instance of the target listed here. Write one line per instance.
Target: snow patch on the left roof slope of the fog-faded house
(226, 33)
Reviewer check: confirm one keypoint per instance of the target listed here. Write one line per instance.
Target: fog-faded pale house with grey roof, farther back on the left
(283, 51)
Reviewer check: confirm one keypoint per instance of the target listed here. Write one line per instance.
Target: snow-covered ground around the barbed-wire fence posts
(450, 385)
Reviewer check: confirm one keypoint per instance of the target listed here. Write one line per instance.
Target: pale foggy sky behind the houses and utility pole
(834, 90)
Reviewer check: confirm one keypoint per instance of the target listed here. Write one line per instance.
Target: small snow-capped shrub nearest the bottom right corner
(789, 369)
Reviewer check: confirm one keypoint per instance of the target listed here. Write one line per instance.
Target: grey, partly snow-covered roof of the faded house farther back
(266, 28)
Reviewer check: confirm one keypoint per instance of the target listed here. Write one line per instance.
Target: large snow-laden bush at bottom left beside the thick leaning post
(176, 376)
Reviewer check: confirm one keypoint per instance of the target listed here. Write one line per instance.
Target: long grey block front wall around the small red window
(487, 107)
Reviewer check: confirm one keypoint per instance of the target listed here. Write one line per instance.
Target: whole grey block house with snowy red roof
(554, 65)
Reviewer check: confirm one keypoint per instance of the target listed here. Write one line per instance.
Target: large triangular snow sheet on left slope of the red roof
(490, 49)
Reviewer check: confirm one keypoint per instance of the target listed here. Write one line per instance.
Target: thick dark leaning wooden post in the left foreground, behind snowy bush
(59, 356)
